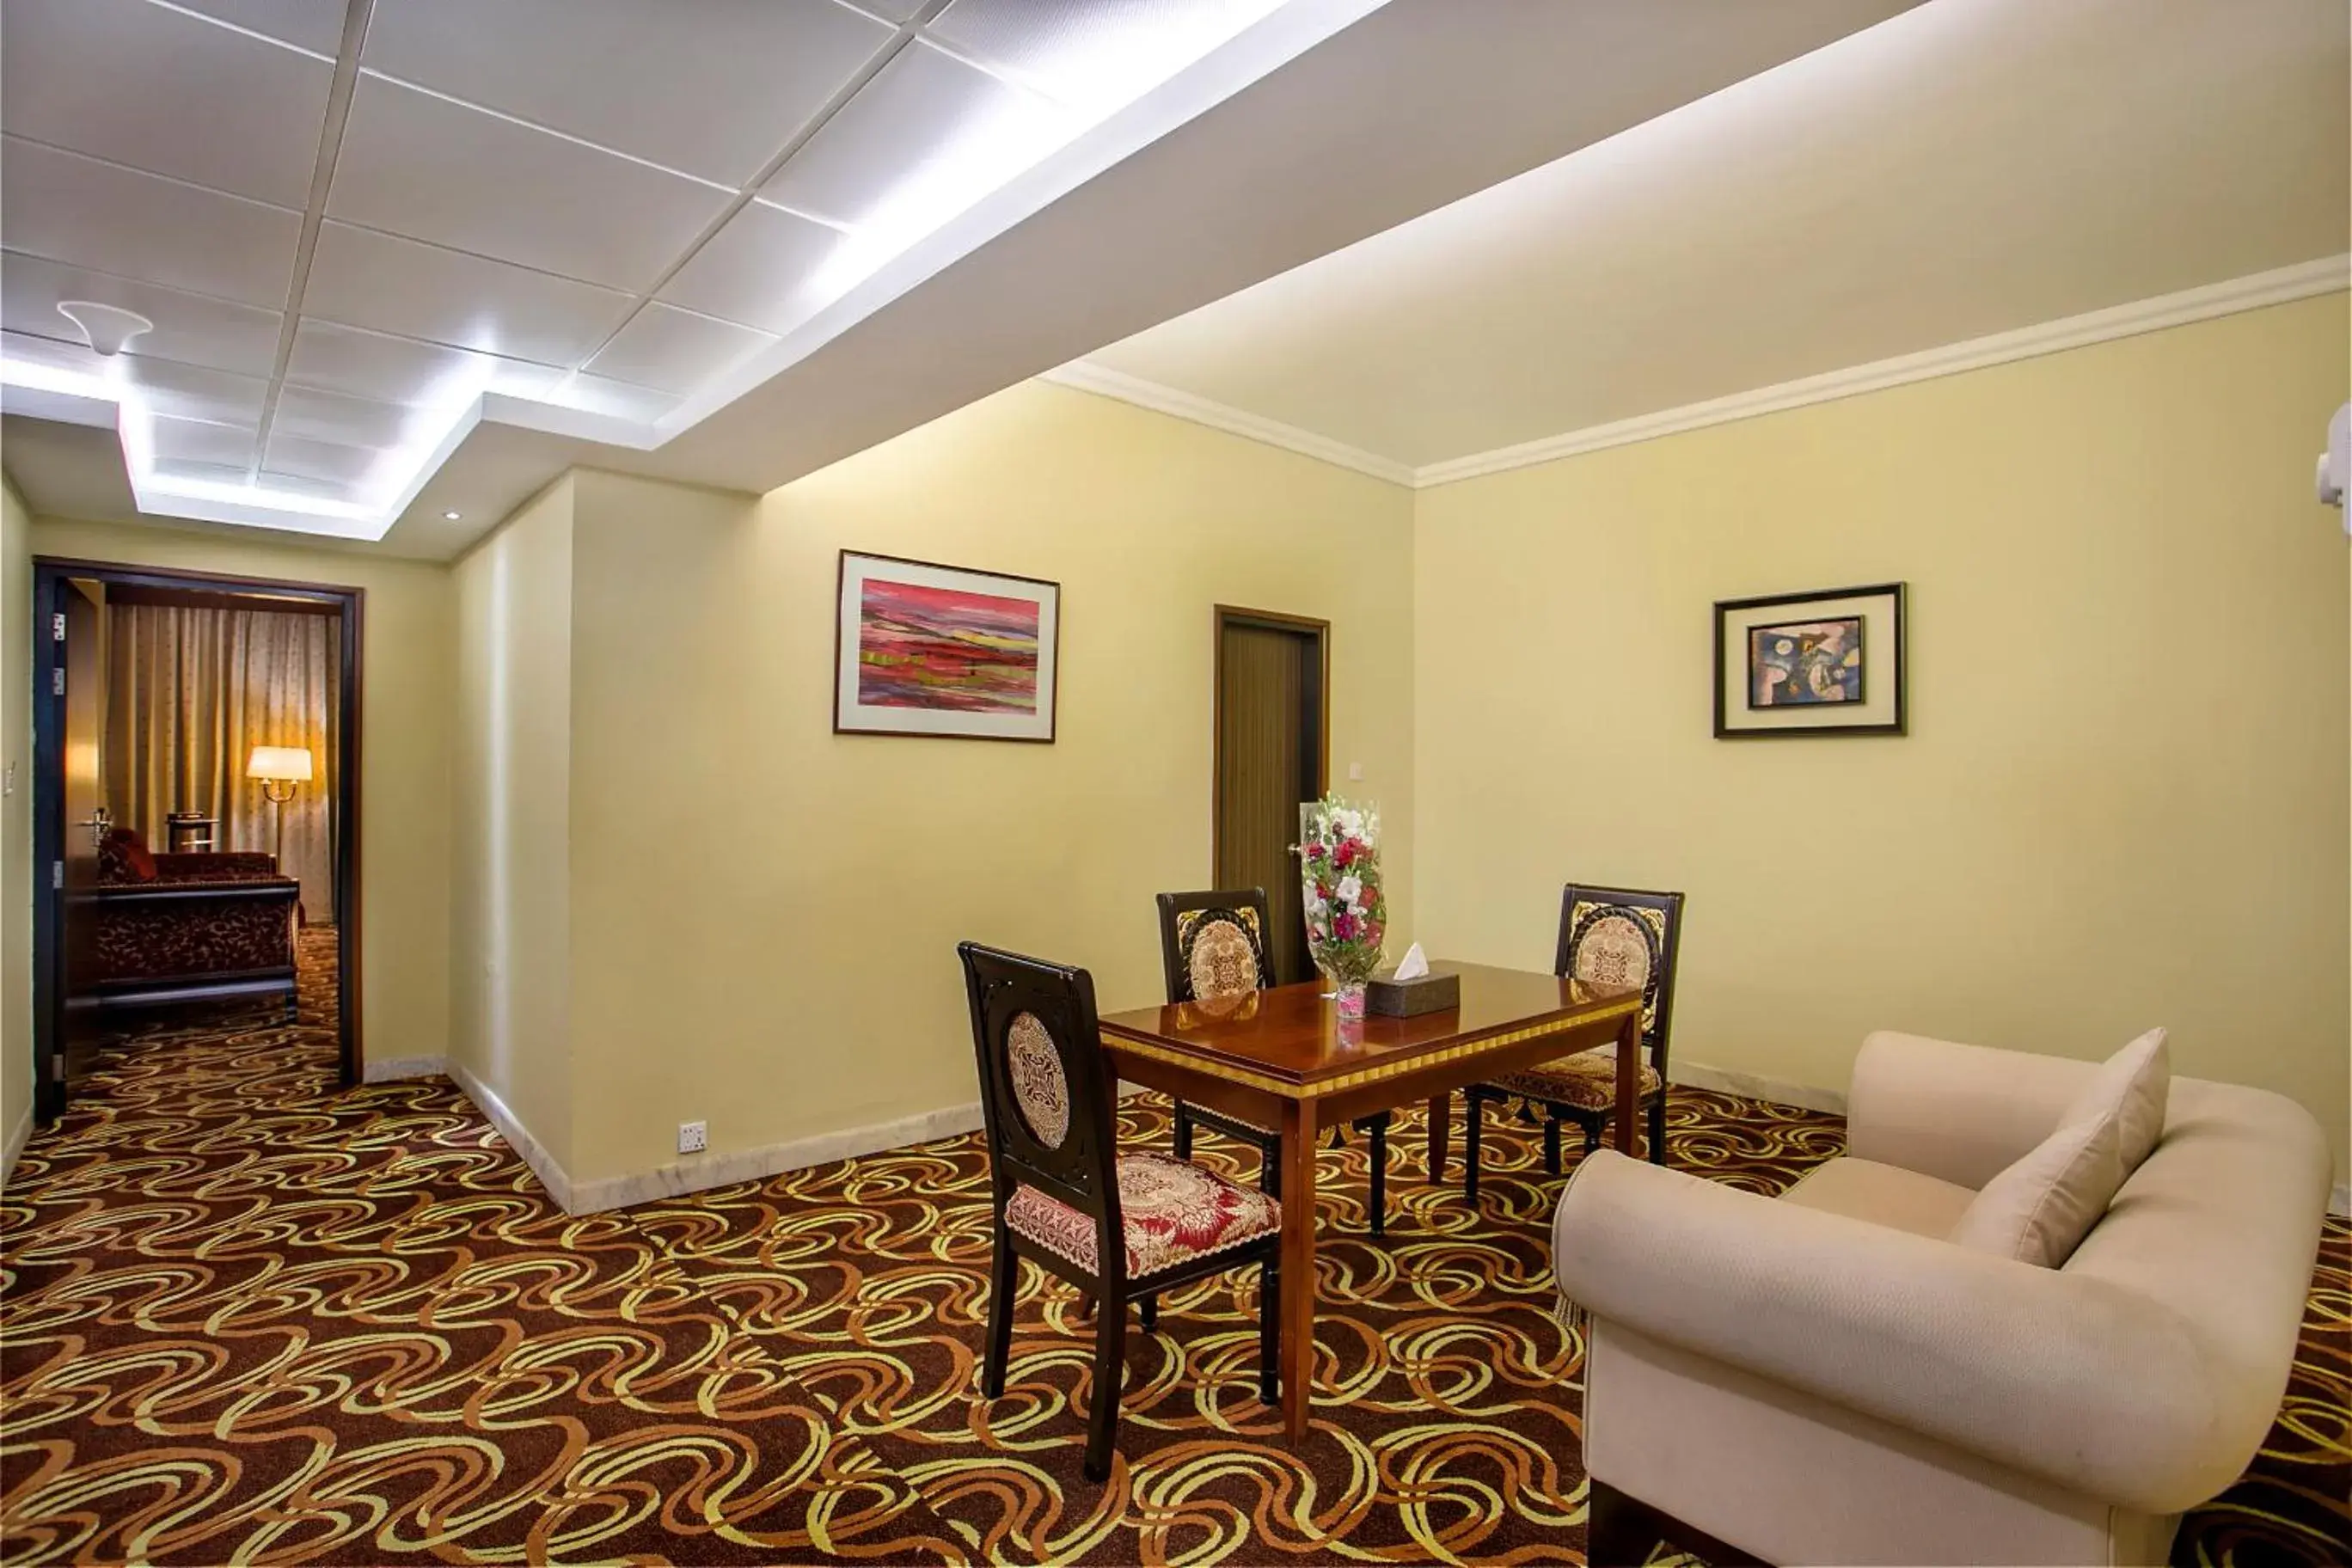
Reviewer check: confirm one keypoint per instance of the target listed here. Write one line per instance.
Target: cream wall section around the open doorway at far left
(408, 643)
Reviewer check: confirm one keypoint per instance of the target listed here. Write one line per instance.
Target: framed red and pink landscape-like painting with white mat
(926, 650)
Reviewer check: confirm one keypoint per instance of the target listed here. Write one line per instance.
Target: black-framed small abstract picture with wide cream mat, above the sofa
(1810, 664)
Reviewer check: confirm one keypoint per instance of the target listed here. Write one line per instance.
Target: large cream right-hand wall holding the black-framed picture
(2123, 800)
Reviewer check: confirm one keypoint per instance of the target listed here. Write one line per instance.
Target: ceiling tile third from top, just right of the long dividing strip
(448, 297)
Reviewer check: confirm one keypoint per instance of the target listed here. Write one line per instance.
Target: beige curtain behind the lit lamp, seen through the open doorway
(189, 695)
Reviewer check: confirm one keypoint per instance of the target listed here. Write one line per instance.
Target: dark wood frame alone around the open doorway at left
(51, 572)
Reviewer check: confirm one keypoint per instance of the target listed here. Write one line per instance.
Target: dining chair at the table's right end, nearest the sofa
(1608, 937)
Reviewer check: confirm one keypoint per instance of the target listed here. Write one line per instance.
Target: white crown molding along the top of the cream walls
(2229, 297)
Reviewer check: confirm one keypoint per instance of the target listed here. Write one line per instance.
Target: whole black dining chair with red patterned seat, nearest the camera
(1116, 1226)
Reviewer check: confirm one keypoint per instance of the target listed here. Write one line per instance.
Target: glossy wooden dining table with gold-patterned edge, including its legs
(1283, 1059)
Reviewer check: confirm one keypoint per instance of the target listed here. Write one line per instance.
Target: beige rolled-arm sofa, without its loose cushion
(1824, 1379)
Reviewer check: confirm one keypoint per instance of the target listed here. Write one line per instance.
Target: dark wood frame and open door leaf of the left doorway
(69, 815)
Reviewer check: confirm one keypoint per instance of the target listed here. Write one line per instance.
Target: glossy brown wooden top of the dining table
(1295, 1036)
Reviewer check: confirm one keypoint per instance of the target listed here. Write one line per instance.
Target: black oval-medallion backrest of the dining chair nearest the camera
(1045, 1094)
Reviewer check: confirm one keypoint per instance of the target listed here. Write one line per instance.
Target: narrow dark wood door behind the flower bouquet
(1274, 751)
